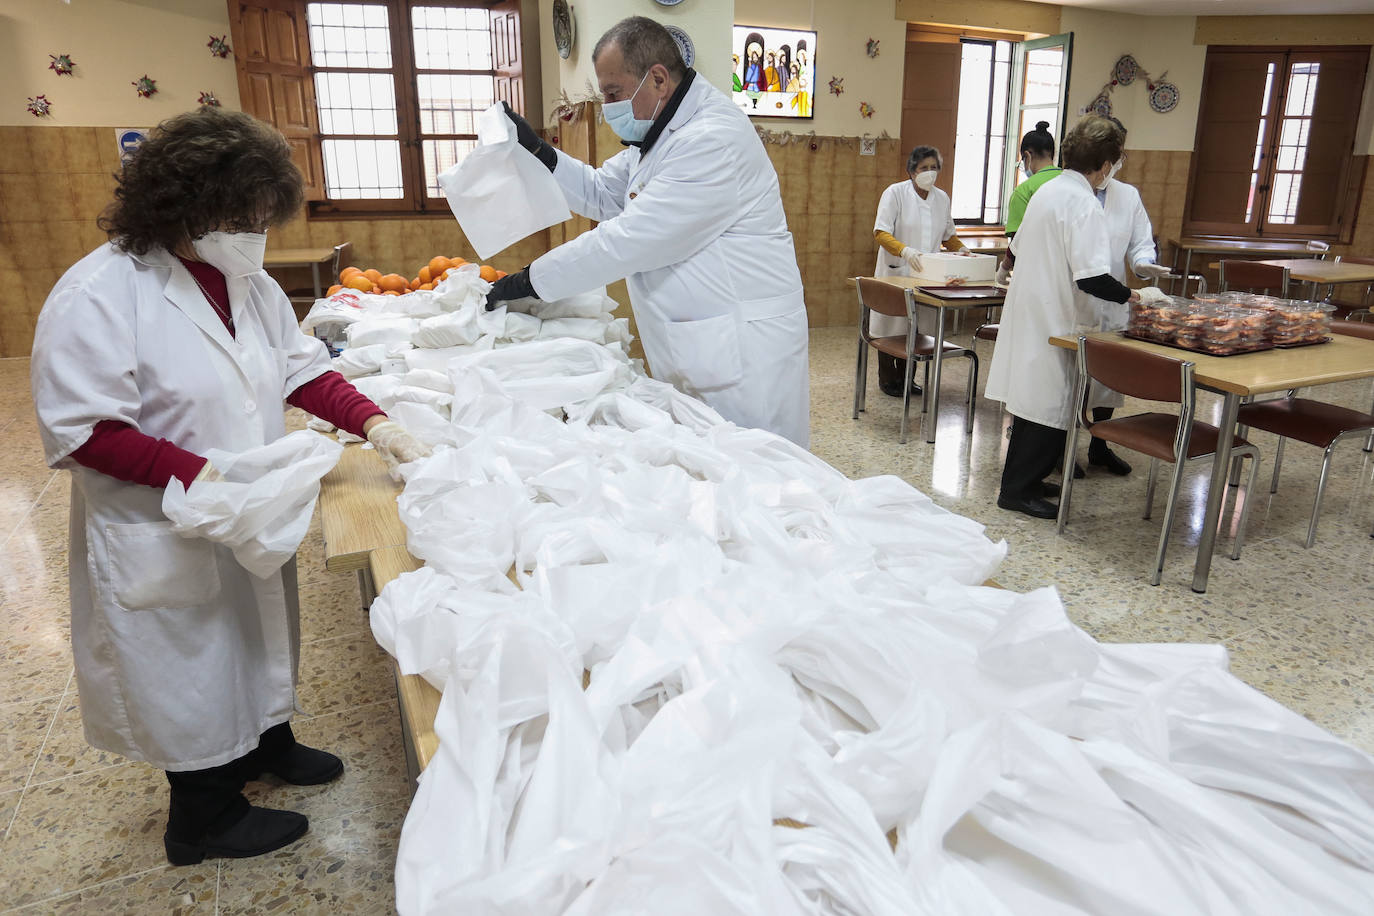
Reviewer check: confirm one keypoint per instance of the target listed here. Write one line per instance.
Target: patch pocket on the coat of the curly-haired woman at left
(153, 568)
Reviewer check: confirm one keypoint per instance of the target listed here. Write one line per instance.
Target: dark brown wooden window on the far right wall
(1292, 174)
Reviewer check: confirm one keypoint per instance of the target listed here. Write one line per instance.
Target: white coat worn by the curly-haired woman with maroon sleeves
(183, 659)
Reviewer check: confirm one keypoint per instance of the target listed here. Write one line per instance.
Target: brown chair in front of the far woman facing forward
(888, 299)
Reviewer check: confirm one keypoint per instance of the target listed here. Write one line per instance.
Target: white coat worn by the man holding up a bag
(699, 230)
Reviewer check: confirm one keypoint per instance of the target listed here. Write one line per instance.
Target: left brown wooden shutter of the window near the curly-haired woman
(273, 54)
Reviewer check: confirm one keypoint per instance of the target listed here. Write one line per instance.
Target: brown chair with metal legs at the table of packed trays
(1162, 437)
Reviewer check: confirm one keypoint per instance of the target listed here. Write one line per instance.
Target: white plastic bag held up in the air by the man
(499, 193)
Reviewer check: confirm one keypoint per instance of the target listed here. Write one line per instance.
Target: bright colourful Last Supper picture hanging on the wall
(776, 72)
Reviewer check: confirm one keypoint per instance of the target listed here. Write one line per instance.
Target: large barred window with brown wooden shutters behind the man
(384, 94)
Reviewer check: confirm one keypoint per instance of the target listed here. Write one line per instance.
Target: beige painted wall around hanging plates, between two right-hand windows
(1160, 45)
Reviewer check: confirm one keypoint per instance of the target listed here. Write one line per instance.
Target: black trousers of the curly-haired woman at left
(208, 801)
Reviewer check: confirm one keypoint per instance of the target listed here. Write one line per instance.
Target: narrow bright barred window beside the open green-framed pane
(982, 133)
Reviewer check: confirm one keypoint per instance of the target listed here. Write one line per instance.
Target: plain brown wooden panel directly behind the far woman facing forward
(931, 105)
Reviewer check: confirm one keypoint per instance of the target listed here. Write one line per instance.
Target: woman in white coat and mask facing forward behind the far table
(914, 219)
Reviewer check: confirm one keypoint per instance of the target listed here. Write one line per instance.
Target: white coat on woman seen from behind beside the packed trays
(1063, 240)
